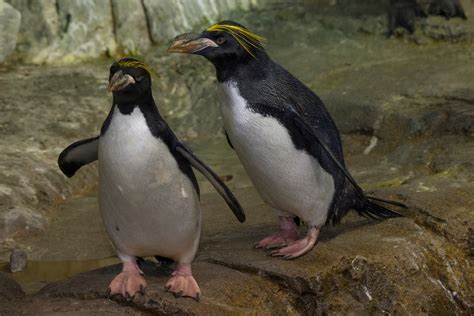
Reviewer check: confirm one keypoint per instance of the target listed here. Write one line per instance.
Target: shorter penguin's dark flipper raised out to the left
(77, 155)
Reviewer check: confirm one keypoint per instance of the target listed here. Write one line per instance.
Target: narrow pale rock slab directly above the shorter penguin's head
(131, 29)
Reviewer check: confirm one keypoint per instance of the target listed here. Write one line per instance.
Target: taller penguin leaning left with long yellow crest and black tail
(282, 134)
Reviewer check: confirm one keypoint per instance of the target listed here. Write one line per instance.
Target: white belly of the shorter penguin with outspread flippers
(148, 205)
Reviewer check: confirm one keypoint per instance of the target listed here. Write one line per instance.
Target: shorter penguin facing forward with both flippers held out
(148, 194)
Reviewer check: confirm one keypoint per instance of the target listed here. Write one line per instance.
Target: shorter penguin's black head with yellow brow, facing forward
(129, 80)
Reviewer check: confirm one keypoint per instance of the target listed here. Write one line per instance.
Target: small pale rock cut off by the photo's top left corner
(10, 20)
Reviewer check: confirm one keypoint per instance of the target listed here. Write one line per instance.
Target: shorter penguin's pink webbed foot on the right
(182, 283)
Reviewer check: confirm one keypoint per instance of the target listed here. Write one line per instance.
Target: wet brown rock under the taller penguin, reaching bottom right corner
(357, 267)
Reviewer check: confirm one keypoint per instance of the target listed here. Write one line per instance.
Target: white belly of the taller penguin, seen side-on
(288, 179)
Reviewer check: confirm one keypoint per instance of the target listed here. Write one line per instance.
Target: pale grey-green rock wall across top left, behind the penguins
(67, 31)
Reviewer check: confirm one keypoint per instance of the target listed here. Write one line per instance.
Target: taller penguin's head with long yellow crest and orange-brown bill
(227, 45)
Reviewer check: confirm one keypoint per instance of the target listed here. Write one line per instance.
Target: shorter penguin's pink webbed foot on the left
(128, 282)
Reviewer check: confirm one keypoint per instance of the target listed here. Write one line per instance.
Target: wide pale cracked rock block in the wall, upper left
(65, 31)
